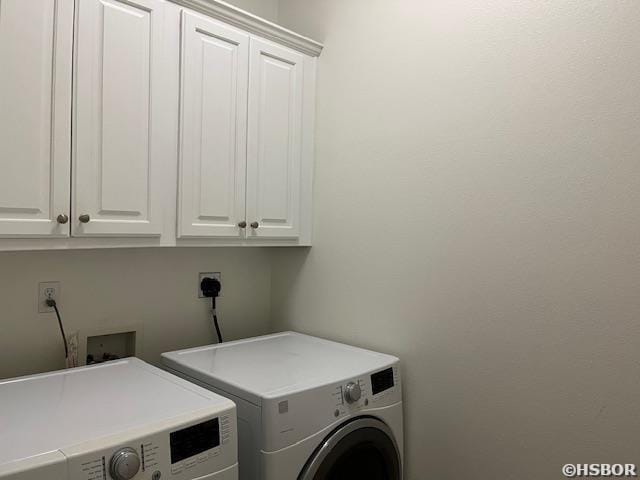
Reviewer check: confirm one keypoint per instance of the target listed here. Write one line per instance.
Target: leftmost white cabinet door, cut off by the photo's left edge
(35, 116)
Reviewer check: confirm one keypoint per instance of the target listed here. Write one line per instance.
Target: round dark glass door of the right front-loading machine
(361, 448)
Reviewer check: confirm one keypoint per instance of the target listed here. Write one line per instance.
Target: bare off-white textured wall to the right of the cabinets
(477, 208)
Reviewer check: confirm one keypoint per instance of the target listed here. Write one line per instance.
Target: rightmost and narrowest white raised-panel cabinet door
(274, 140)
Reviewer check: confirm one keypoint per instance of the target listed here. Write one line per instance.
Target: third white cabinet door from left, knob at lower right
(215, 66)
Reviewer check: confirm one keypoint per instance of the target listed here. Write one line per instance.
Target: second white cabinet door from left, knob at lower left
(117, 162)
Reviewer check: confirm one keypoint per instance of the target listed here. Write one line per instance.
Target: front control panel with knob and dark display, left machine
(179, 451)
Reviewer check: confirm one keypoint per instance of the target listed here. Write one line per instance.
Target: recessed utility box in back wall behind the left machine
(111, 342)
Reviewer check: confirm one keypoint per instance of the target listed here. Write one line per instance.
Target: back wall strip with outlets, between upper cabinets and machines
(156, 287)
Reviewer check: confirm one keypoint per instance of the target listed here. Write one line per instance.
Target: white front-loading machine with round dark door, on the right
(308, 408)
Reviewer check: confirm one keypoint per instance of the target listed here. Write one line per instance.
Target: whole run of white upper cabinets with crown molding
(153, 123)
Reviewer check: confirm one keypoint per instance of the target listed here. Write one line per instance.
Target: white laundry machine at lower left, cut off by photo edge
(123, 420)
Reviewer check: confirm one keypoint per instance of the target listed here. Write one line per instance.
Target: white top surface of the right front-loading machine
(275, 365)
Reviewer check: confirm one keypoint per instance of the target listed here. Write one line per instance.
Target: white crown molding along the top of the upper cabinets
(254, 24)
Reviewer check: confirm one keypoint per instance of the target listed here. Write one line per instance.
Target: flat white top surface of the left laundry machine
(43, 413)
